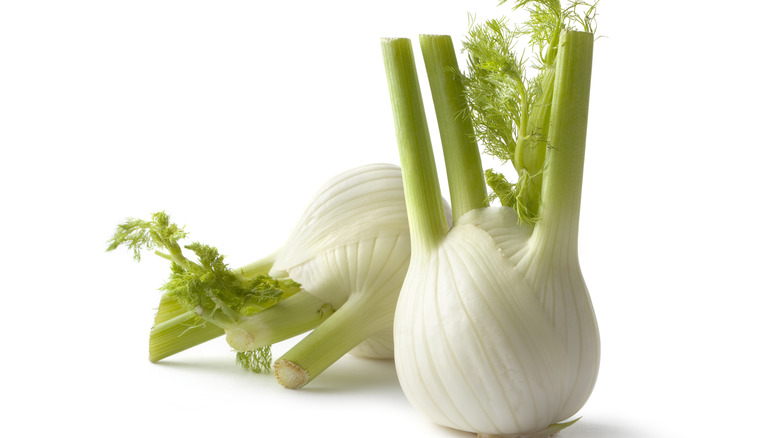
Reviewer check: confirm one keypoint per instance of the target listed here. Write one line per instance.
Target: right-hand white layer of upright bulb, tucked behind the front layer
(548, 260)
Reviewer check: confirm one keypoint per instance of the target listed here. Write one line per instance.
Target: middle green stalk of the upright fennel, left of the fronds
(461, 153)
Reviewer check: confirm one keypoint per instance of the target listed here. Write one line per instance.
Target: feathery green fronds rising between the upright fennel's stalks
(510, 107)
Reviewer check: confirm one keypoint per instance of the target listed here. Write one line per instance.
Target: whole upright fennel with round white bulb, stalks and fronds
(494, 330)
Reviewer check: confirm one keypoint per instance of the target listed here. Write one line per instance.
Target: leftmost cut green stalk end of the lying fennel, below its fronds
(176, 329)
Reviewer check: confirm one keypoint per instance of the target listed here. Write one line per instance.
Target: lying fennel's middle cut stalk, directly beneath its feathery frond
(291, 317)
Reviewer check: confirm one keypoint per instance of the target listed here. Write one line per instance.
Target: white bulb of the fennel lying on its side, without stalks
(352, 244)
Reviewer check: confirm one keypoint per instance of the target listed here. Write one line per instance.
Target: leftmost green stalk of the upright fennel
(427, 220)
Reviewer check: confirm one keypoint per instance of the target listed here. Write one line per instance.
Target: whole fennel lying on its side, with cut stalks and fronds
(338, 274)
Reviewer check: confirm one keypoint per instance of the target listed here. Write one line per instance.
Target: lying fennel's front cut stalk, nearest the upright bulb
(346, 329)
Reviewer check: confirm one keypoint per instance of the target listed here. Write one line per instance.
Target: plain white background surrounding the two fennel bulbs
(228, 114)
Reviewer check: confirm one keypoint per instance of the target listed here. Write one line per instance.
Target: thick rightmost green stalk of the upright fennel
(562, 183)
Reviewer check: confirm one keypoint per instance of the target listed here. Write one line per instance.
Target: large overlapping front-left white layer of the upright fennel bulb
(475, 350)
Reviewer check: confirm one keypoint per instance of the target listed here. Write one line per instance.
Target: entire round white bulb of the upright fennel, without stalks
(503, 310)
